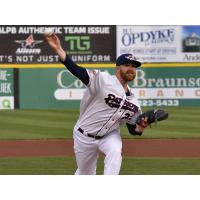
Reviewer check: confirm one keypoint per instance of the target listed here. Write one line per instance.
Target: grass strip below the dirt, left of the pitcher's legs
(37, 166)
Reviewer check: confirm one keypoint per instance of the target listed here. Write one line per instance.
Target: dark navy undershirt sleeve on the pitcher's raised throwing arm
(79, 72)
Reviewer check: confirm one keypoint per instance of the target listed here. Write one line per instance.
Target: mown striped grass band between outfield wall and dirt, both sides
(183, 122)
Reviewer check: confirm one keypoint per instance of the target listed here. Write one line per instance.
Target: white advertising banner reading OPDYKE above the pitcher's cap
(160, 43)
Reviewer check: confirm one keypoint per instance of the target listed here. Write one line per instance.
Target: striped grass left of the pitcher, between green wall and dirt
(37, 124)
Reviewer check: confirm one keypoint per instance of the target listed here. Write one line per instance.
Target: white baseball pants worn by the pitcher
(87, 151)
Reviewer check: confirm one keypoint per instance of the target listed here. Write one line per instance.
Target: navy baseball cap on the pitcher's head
(127, 59)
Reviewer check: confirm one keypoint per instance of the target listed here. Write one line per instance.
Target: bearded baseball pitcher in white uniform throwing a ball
(108, 102)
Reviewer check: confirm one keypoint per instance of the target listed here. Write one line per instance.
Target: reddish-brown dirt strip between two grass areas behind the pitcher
(131, 147)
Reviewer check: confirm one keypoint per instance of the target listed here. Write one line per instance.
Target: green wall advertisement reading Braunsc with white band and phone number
(163, 86)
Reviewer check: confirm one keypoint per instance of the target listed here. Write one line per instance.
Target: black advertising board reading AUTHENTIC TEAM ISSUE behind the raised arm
(85, 44)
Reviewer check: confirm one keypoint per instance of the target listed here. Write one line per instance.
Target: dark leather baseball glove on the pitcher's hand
(151, 116)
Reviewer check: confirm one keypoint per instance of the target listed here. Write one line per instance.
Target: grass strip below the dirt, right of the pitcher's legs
(161, 166)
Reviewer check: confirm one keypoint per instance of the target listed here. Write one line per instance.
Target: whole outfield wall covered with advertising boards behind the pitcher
(32, 77)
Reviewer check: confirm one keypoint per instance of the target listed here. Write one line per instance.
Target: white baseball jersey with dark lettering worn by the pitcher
(105, 106)
